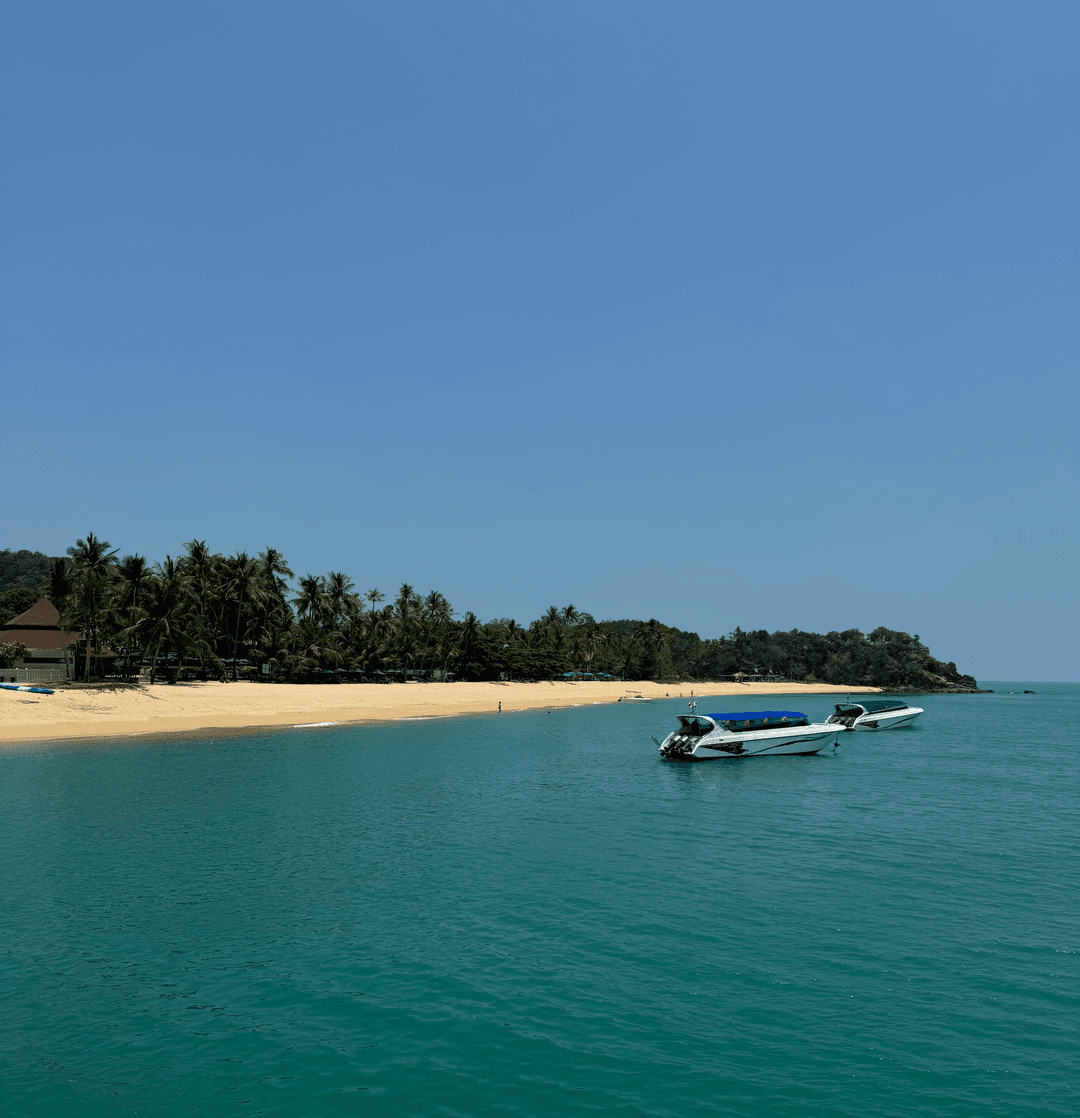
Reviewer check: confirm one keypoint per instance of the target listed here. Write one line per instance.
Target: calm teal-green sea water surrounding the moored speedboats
(532, 915)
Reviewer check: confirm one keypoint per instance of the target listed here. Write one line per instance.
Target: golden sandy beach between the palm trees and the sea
(202, 707)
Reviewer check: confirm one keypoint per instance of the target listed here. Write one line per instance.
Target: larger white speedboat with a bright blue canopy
(746, 734)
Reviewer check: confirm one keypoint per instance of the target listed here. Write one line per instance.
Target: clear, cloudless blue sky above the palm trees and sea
(757, 315)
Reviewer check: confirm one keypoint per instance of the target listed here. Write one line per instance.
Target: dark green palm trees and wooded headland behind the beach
(204, 615)
